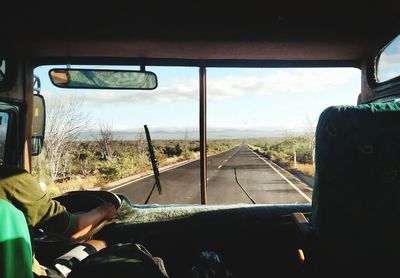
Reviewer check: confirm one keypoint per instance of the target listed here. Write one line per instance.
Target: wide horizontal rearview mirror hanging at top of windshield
(103, 79)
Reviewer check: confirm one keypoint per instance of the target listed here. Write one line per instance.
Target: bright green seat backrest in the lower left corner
(15, 243)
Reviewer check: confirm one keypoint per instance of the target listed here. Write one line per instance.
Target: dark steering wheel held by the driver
(79, 202)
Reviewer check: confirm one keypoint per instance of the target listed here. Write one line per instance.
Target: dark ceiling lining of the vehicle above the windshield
(286, 30)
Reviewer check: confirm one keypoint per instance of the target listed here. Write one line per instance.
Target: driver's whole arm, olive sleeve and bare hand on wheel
(23, 191)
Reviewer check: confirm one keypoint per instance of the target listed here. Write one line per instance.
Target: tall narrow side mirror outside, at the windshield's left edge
(38, 124)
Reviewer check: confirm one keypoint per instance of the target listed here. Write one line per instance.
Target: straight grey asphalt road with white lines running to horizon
(236, 176)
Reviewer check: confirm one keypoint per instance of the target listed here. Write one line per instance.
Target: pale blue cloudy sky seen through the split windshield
(243, 100)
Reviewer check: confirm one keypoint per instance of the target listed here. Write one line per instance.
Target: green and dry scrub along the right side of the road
(294, 153)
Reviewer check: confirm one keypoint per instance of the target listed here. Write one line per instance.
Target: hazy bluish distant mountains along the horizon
(212, 133)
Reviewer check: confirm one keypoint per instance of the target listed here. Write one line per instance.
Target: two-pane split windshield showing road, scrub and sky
(260, 134)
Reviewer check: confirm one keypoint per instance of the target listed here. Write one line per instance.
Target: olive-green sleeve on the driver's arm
(22, 190)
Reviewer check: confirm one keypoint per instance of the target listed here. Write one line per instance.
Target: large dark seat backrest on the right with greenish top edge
(356, 197)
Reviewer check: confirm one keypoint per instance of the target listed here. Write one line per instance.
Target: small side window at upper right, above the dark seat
(388, 62)
